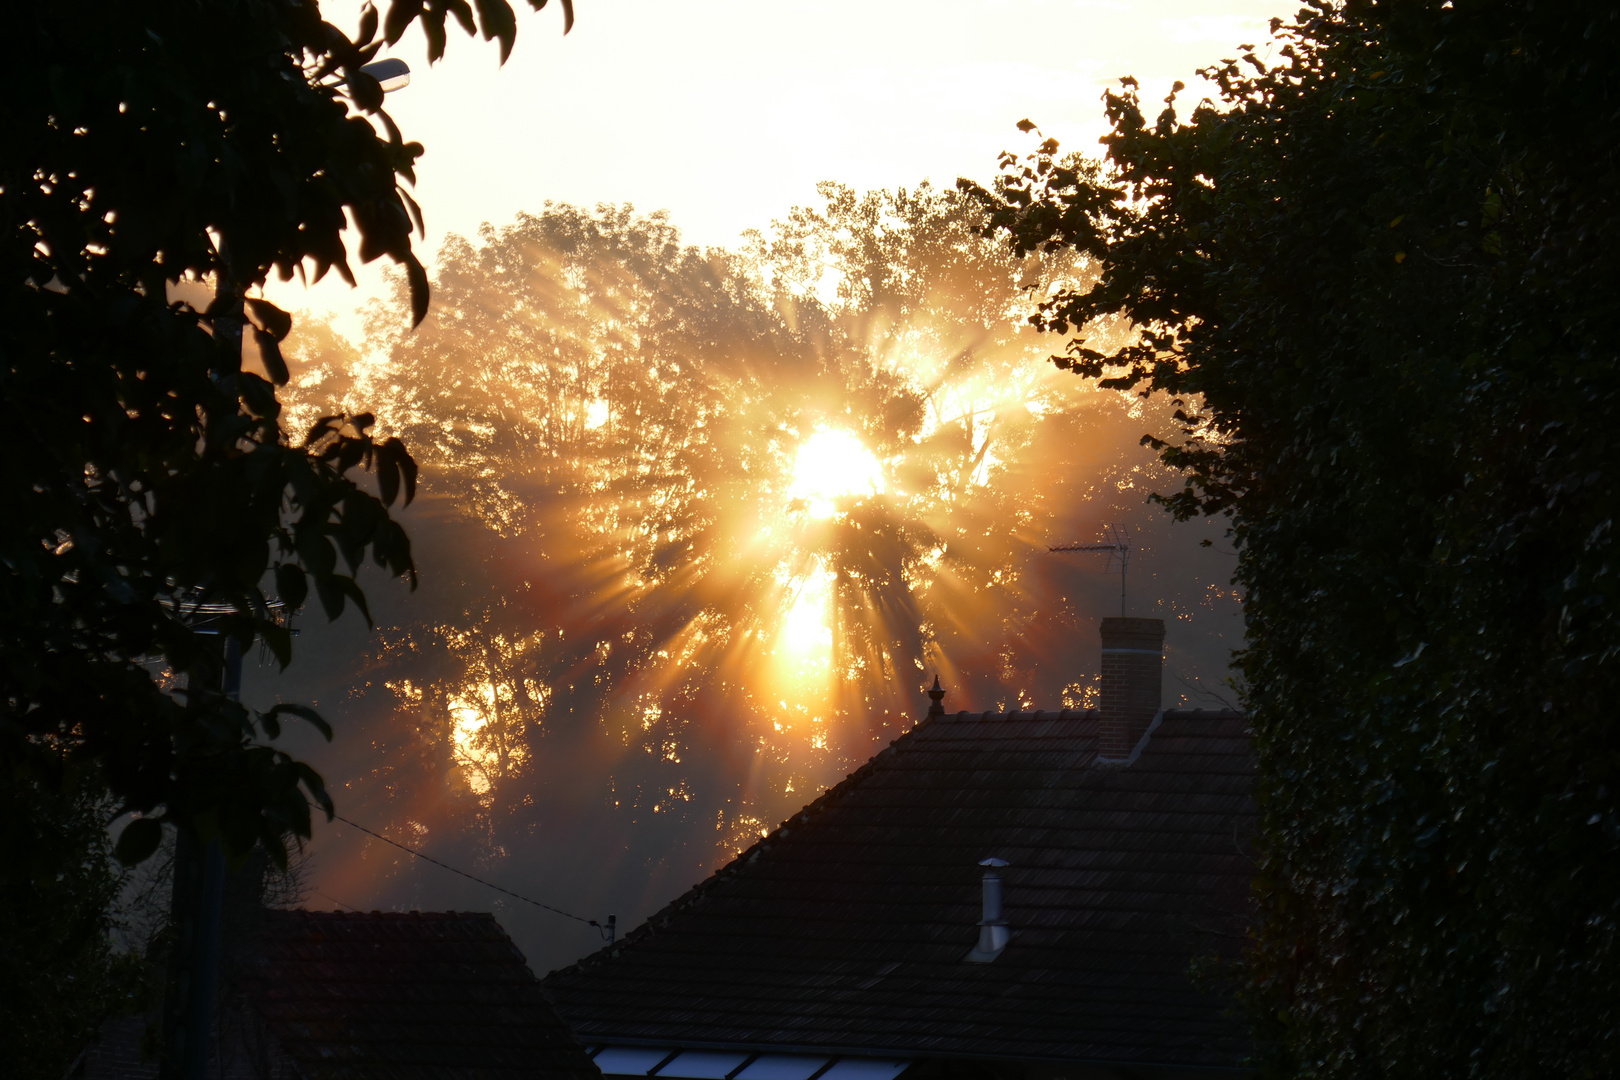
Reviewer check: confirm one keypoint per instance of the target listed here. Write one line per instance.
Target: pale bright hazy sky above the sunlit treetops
(728, 113)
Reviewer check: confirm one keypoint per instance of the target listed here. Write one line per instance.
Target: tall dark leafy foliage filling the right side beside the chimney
(1378, 274)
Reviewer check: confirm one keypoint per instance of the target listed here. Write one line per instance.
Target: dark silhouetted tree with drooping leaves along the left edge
(147, 475)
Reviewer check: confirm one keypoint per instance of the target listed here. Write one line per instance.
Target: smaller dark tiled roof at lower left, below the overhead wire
(407, 997)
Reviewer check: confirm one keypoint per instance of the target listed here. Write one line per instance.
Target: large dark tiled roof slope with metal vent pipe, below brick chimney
(846, 930)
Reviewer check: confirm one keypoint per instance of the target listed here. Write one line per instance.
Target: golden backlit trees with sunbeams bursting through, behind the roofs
(720, 514)
